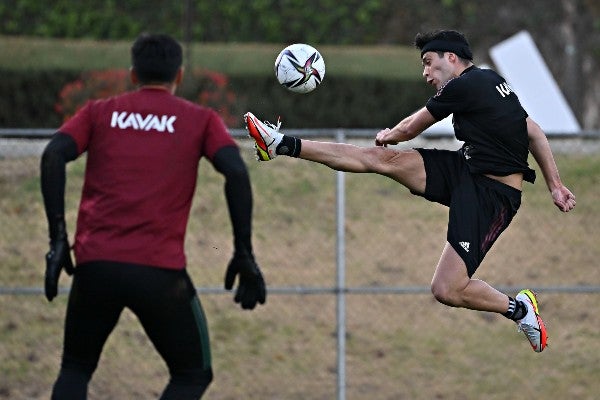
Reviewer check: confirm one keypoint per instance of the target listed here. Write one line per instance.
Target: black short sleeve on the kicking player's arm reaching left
(451, 98)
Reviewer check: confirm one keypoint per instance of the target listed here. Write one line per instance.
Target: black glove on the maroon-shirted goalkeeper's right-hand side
(251, 286)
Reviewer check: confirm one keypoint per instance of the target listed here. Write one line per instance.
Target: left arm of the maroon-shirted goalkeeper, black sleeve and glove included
(60, 150)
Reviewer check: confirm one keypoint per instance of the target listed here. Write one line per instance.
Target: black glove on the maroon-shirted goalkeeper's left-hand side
(57, 258)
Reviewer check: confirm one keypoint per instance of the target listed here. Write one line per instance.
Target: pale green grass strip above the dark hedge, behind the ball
(233, 59)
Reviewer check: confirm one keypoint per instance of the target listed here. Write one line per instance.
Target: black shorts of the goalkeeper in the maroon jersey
(164, 300)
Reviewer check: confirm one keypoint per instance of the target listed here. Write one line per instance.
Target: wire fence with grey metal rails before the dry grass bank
(348, 259)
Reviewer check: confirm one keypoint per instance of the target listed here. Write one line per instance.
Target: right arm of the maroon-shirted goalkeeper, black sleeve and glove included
(251, 287)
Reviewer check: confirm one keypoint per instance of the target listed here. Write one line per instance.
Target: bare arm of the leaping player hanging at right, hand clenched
(540, 149)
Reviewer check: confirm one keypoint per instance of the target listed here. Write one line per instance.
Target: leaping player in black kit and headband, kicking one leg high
(481, 183)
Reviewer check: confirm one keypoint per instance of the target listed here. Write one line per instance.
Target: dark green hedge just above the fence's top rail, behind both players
(29, 100)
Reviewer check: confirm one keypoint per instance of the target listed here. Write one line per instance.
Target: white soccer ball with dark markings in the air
(300, 68)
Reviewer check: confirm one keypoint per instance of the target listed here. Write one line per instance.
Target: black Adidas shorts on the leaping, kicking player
(480, 207)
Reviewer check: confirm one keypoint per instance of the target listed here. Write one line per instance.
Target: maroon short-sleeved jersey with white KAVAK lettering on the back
(143, 149)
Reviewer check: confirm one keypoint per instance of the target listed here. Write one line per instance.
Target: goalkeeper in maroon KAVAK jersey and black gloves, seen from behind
(143, 148)
